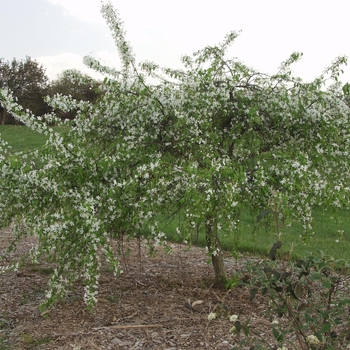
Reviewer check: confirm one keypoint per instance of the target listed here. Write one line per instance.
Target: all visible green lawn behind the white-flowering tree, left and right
(250, 238)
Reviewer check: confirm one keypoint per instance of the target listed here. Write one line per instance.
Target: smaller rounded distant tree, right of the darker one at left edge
(79, 86)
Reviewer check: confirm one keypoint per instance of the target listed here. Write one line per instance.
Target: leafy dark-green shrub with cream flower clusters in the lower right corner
(308, 301)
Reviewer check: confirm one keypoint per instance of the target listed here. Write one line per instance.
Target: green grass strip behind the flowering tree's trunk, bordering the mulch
(257, 239)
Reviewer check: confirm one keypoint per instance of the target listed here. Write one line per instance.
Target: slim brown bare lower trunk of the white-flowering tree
(214, 246)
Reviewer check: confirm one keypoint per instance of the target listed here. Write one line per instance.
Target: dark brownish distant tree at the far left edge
(28, 81)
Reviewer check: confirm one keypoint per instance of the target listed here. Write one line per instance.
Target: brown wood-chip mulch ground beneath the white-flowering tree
(146, 307)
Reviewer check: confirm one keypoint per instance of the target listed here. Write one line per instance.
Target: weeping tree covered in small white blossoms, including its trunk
(205, 141)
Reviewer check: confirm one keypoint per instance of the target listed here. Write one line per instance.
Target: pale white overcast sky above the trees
(59, 33)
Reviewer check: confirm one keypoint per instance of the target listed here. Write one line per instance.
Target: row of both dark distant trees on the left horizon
(30, 85)
